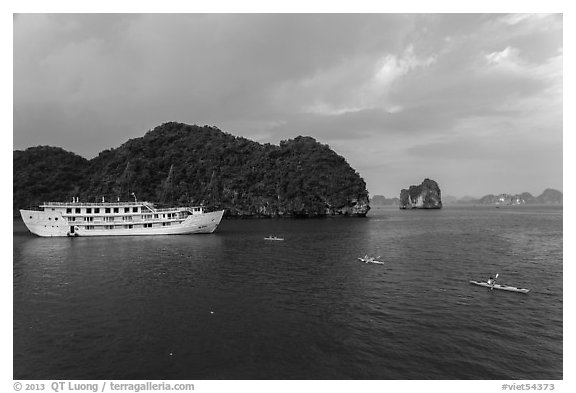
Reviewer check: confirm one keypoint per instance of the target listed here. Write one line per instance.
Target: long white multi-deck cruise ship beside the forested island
(117, 219)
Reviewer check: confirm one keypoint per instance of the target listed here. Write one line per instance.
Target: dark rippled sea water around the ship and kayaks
(233, 306)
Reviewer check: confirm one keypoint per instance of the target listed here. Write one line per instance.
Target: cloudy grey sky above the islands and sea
(472, 101)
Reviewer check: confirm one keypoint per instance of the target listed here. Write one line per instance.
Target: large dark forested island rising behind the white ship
(182, 164)
